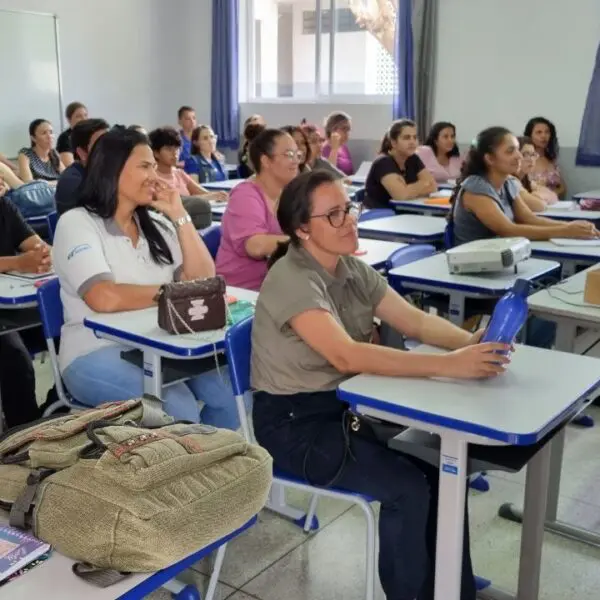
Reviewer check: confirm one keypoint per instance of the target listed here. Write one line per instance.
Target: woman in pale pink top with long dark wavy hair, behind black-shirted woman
(440, 153)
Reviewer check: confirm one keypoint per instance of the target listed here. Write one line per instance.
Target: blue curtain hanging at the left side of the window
(225, 114)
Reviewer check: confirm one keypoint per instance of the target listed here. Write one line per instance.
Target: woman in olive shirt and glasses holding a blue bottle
(313, 329)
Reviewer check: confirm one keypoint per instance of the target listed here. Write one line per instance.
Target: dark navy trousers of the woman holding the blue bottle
(303, 433)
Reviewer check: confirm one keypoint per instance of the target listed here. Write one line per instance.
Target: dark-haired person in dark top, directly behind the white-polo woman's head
(83, 137)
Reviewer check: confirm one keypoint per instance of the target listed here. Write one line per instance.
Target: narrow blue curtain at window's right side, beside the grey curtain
(404, 99)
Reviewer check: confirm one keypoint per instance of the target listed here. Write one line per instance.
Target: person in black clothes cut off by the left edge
(23, 251)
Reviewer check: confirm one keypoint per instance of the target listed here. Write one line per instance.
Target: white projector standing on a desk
(488, 256)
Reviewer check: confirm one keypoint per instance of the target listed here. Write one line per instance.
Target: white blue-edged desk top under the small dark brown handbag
(140, 328)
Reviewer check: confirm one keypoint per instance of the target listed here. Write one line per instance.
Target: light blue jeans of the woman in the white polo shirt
(103, 376)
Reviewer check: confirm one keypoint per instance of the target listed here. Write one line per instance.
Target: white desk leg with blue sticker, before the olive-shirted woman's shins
(450, 518)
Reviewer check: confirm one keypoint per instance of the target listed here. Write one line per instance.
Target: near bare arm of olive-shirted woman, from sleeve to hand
(319, 330)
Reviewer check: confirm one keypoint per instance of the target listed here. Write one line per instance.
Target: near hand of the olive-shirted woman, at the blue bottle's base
(478, 361)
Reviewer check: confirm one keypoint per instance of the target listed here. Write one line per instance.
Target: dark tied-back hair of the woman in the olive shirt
(293, 210)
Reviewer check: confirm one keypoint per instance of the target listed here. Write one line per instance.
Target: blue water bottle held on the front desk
(509, 315)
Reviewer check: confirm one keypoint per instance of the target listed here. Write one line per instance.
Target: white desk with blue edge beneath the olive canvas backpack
(54, 580)
